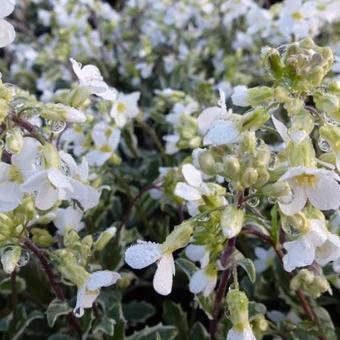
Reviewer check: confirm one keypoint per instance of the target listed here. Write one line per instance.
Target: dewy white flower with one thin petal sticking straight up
(218, 125)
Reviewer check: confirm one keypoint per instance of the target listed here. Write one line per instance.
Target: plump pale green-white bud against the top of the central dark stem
(231, 221)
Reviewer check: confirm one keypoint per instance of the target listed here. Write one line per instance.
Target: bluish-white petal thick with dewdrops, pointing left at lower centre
(142, 254)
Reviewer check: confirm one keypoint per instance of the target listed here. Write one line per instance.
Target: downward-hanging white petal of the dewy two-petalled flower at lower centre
(162, 281)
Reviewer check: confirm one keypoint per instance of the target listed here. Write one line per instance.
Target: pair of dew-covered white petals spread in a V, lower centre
(143, 254)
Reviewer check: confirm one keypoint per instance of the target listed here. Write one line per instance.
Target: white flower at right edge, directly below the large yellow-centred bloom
(316, 243)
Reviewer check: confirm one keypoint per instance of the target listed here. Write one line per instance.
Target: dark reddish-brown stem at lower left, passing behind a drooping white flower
(53, 281)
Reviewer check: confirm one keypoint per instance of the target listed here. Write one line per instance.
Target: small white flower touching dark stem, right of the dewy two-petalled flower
(203, 282)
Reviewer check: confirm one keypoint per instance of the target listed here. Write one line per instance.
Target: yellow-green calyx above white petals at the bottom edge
(238, 308)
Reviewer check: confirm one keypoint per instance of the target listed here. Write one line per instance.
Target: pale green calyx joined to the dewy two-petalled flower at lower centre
(179, 237)
